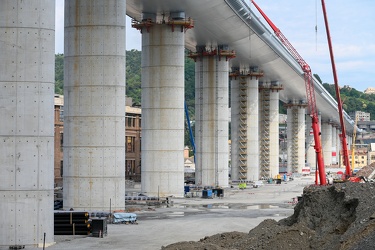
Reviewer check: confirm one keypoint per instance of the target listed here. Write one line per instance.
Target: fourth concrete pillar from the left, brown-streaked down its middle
(211, 131)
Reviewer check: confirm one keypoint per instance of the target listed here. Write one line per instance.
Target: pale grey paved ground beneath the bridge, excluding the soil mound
(190, 219)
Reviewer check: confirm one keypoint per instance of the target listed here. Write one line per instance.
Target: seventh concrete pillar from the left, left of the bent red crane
(296, 136)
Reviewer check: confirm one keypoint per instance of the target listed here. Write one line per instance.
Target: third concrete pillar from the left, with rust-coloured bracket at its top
(163, 111)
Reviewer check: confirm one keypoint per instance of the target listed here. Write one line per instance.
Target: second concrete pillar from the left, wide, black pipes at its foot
(94, 112)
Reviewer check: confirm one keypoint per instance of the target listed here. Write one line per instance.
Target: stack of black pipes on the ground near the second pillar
(72, 223)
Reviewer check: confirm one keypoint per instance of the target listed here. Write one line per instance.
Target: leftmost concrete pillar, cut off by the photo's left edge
(27, 54)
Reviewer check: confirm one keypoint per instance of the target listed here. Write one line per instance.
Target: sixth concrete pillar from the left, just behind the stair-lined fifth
(269, 129)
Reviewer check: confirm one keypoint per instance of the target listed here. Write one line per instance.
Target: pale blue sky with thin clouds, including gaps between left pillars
(351, 23)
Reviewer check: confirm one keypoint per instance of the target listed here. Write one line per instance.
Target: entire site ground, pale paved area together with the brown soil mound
(331, 217)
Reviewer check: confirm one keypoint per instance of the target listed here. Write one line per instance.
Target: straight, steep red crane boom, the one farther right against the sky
(345, 152)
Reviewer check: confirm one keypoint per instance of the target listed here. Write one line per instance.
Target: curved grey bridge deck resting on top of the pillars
(241, 29)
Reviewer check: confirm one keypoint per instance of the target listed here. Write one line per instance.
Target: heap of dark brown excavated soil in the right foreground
(341, 216)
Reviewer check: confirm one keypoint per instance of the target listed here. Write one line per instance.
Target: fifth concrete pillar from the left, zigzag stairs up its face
(244, 128)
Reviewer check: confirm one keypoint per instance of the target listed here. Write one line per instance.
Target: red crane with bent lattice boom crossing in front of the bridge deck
(310, 93)
